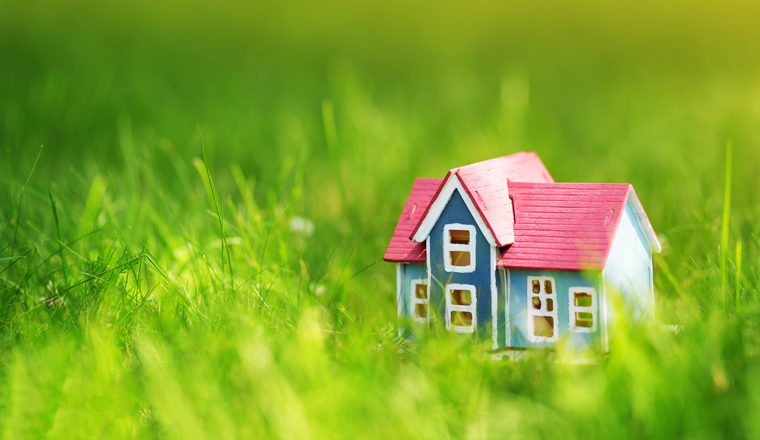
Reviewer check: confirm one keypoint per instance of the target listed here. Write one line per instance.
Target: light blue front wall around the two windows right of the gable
(518, 307)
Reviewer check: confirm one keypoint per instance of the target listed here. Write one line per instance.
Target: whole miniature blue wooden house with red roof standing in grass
(499, 249)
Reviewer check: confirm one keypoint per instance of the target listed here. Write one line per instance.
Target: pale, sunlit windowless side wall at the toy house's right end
(628, 272)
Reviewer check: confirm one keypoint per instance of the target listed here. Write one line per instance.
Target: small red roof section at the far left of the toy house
(401, 249)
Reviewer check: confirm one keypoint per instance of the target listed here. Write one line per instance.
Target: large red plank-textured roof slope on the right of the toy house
(564, 226)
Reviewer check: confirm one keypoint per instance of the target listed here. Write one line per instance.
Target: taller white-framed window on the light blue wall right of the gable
(542, 309)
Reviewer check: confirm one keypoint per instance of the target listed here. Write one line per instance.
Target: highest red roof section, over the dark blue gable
(486, 185)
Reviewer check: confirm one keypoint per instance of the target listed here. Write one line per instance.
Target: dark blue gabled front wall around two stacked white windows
(456, 212)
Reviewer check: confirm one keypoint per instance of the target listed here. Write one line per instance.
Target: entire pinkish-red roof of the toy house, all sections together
(558, 226)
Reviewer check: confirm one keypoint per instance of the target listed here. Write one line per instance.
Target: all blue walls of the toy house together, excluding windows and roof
(627, 276)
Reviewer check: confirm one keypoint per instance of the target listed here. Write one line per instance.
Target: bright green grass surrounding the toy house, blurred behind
(196, 251)
